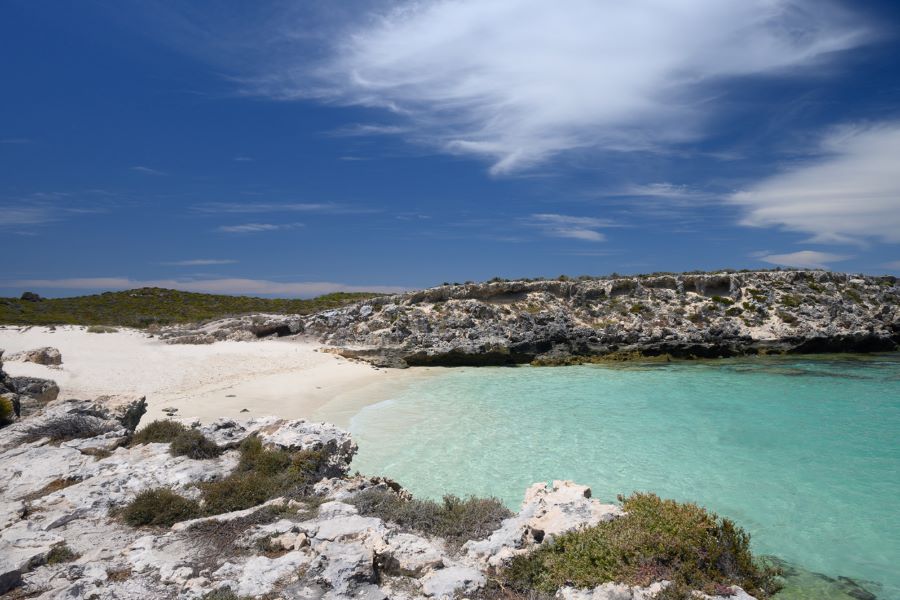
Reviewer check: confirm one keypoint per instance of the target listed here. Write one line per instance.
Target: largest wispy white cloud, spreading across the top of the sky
(520, 81)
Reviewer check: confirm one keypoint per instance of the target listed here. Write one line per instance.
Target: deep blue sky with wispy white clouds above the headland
(298, 148)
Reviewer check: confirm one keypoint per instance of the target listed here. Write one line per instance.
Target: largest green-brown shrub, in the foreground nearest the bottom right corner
(655, 540)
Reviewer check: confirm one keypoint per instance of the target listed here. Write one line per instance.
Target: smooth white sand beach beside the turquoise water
(287, 378)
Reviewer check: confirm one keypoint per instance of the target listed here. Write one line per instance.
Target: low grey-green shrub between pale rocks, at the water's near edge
(455, 519)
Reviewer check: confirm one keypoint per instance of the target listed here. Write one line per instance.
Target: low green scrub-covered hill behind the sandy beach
(155, 306)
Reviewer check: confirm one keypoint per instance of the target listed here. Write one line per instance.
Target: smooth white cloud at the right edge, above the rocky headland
(851, 194)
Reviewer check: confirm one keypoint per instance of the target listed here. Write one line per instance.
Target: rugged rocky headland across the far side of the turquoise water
(556, 322)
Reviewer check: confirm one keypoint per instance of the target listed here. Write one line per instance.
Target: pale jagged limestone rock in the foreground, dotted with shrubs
(60, 538)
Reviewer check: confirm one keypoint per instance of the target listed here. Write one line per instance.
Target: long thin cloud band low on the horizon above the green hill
(212, 286)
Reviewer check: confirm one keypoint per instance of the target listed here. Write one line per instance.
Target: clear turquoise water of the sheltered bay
(803, 453)
